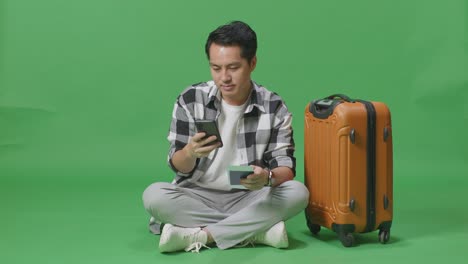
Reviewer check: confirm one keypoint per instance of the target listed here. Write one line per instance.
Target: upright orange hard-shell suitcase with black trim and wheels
(348, 167)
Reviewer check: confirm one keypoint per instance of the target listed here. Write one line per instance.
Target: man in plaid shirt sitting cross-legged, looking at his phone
(200, 208)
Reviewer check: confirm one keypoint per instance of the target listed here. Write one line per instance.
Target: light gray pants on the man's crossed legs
(230, 216)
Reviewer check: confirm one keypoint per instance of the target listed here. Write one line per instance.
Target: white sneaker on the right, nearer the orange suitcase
(276, 237)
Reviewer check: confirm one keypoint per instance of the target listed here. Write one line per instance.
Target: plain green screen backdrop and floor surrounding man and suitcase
(87, 89)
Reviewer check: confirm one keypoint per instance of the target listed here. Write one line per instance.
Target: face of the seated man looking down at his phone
(231, 72)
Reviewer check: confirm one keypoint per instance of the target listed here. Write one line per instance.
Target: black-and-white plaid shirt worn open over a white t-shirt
(264, 138)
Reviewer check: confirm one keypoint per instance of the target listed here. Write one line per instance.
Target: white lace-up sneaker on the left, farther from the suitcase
(174, 238)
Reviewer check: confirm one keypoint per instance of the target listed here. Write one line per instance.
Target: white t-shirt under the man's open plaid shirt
(216, 177)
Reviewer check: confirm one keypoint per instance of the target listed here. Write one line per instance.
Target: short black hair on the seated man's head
(236, 33)
